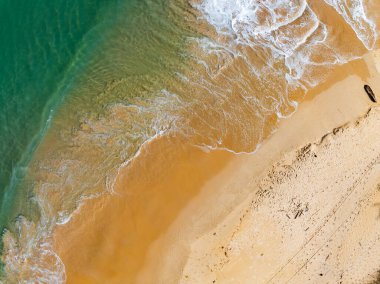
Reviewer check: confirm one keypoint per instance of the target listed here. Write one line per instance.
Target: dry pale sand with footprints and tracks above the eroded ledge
(302, 214)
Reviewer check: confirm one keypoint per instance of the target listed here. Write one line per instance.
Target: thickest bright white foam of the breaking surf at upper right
(290, 31)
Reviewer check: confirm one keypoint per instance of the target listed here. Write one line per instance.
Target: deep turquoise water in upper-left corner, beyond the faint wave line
(43, 44)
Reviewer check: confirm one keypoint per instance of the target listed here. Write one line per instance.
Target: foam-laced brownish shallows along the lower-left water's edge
(69, 180)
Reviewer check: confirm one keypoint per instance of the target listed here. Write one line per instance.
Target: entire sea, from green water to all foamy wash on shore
(138, 70)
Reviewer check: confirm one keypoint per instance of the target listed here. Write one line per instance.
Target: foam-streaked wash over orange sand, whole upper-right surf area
(260, 53)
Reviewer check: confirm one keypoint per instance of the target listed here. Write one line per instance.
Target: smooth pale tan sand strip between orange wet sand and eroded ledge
(336, 105)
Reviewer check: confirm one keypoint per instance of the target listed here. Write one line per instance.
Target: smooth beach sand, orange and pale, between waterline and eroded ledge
(222, 182)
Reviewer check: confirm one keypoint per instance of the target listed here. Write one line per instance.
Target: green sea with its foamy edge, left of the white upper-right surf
(67, 66)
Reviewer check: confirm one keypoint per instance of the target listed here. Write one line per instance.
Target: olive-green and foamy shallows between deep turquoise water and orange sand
(109, 100)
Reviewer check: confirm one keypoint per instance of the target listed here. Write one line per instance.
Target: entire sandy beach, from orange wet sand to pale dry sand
(283, 213)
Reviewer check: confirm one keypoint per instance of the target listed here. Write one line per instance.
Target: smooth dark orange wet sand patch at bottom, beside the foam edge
(106, 242)
